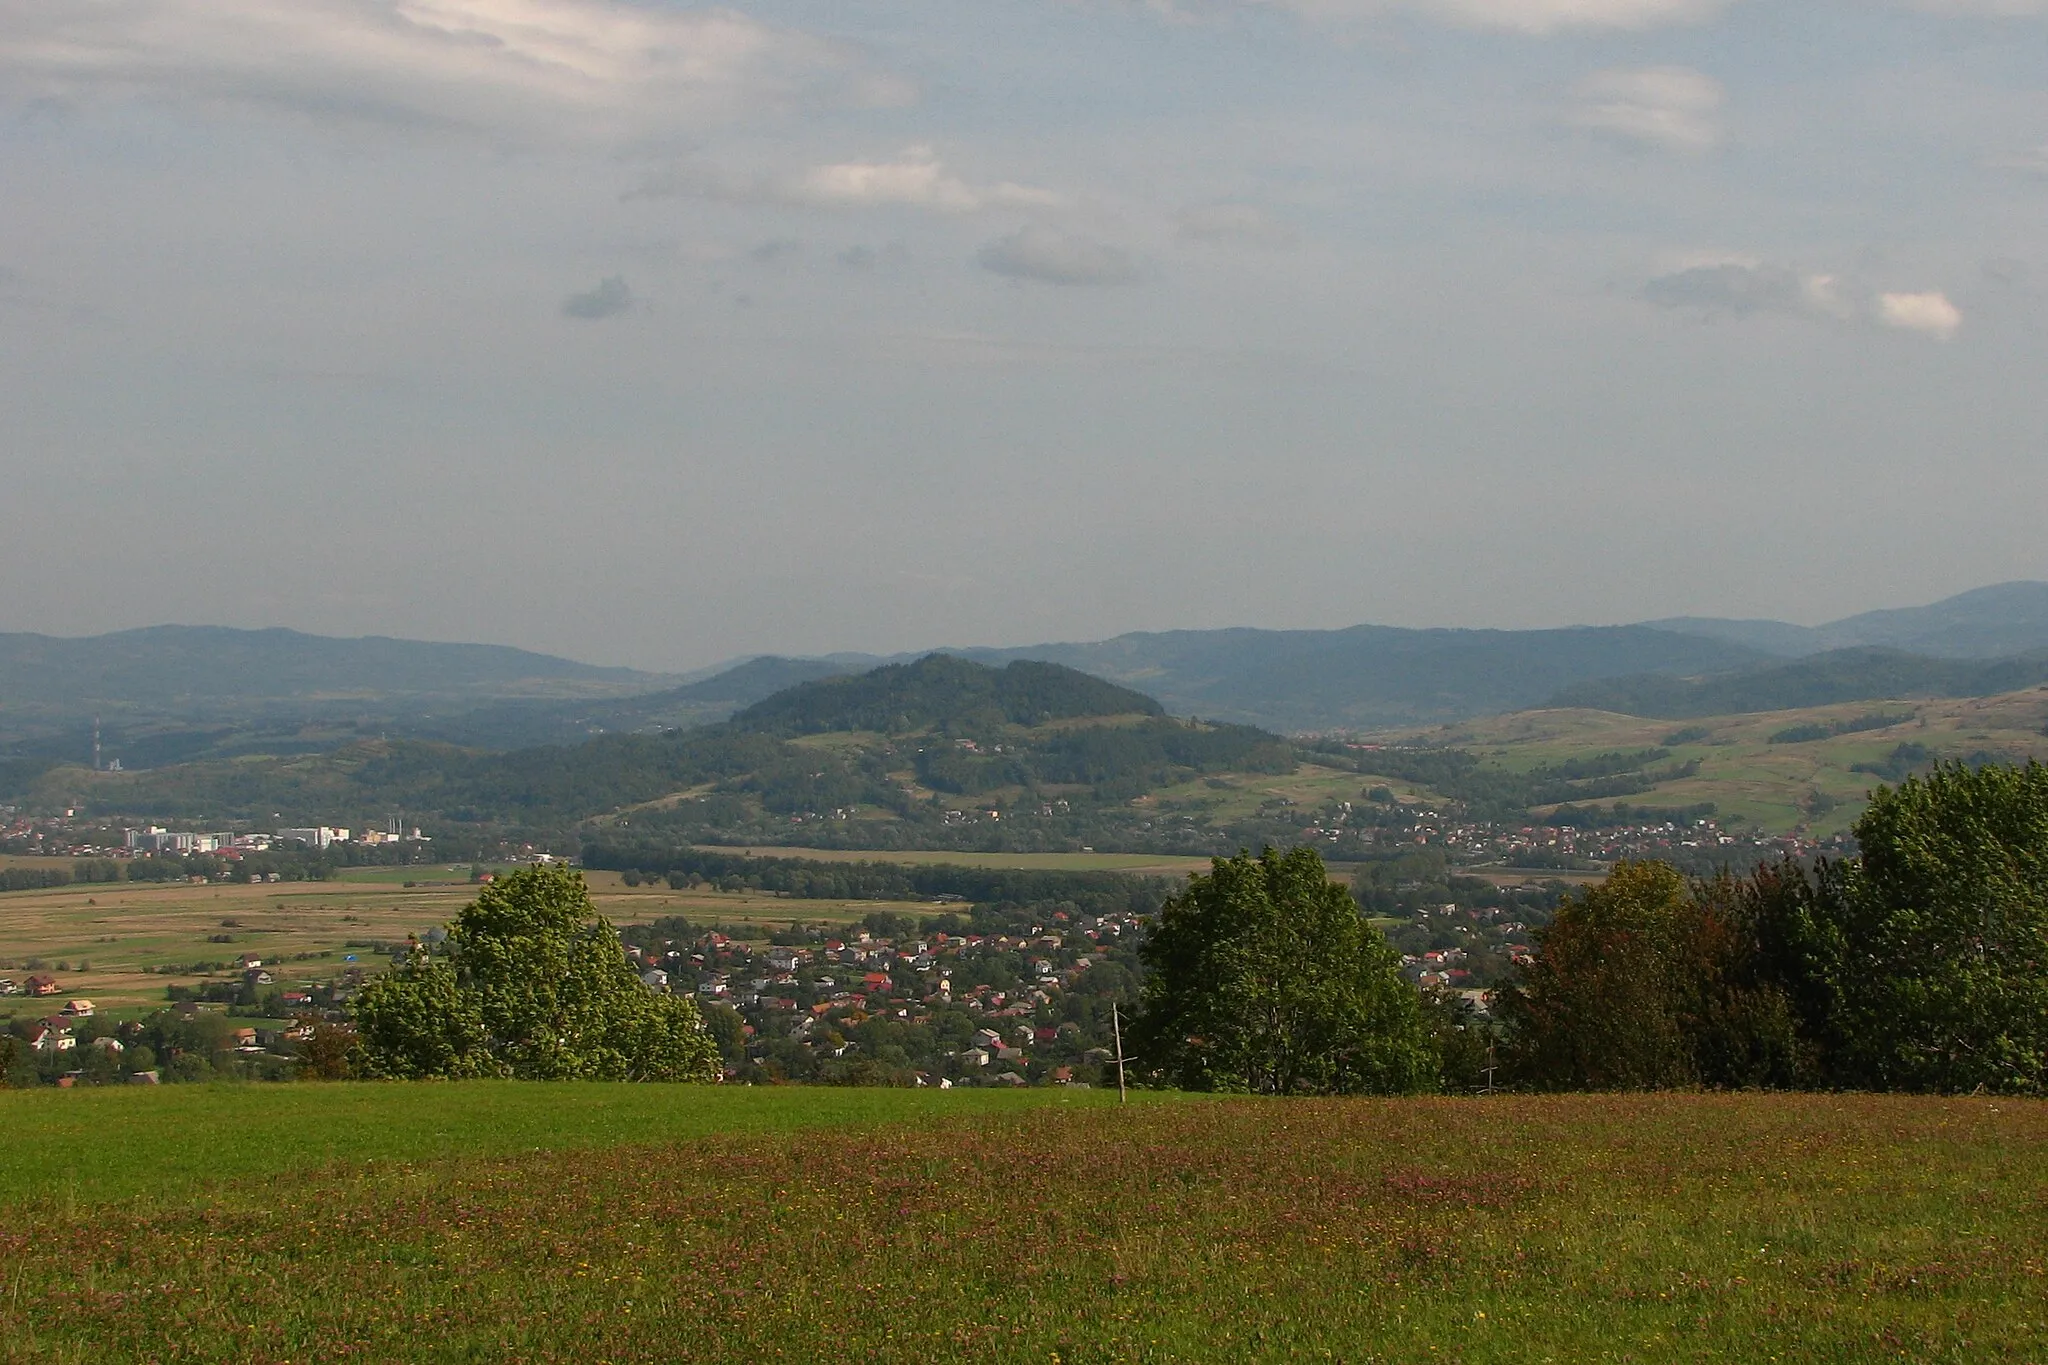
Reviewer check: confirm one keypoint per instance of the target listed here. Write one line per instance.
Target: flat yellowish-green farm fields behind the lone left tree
(95, 940)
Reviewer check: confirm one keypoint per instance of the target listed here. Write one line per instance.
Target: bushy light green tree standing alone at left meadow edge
(529, 985)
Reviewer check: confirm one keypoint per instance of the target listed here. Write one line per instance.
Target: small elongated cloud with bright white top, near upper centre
(912, 181)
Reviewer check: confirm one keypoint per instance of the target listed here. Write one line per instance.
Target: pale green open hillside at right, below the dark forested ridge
(1768, 785)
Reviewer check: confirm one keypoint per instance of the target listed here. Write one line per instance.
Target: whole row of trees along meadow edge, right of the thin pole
(1922, 965)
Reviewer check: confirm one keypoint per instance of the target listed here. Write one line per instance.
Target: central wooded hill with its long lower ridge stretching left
(1029, 744)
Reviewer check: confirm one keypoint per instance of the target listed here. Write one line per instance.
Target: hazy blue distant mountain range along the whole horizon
(1285, 680)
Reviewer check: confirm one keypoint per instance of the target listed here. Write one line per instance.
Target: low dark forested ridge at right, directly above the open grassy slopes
(1822, 680)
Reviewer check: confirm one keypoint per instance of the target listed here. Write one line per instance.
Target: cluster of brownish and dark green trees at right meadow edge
(1920, 965)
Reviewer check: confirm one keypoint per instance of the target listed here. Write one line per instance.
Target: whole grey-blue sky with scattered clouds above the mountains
(663, 335)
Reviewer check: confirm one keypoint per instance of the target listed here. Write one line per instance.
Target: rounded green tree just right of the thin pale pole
(1265, 977)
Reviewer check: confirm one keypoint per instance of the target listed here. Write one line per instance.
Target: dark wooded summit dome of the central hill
(943, 691)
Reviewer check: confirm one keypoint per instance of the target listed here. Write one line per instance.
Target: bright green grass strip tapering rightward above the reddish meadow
(185, 1143)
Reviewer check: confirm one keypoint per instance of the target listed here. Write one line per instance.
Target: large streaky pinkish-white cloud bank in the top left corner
(517, 69)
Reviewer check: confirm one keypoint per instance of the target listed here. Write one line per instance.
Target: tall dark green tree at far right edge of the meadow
(1940, 936)
